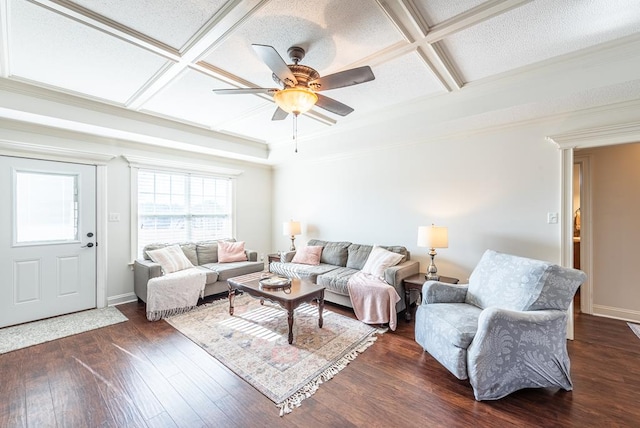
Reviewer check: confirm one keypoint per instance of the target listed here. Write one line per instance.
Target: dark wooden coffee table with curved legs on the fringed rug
(289, 298)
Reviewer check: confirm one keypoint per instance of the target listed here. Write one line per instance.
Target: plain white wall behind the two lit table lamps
(493, 189)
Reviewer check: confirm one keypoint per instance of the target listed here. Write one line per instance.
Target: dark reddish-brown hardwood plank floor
(146, 374)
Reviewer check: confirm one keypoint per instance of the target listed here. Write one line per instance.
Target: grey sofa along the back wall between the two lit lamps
(338, 262)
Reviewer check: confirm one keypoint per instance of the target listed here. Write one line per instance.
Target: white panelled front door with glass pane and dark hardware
(47, 239)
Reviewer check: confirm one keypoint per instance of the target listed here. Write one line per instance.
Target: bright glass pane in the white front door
(45, 207)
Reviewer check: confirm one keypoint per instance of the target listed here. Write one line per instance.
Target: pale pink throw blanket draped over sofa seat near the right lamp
(374, 301)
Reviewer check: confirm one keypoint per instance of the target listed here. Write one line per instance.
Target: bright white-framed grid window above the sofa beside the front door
(178, 207)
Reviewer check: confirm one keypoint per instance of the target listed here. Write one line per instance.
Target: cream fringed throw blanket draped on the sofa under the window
(174, 293)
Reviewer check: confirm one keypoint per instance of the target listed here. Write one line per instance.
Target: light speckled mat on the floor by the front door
(34, 333)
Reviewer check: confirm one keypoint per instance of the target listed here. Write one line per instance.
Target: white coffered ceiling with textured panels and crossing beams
(162, 58)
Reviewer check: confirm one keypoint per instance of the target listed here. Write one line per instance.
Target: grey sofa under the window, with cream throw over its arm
(203, 255)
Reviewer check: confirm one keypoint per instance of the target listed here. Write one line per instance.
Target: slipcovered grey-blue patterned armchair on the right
(506, 329)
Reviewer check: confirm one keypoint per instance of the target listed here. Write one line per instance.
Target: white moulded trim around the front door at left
(99, 160)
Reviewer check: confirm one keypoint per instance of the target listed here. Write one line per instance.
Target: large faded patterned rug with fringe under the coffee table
(253, 344)
